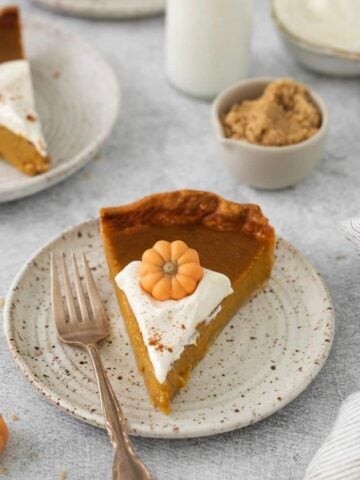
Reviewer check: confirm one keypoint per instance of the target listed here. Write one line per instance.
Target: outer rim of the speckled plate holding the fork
(144, 430)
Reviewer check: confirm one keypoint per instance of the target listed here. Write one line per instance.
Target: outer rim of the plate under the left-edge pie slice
(72, 165)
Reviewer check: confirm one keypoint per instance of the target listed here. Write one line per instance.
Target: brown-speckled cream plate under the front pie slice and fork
(268, 354)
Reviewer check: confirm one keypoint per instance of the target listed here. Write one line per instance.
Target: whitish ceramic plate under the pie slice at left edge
(77, 97)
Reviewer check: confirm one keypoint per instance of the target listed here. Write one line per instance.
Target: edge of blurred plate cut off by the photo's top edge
(106, 8)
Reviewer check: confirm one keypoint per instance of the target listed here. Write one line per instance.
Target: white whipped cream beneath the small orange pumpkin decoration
(168, 327)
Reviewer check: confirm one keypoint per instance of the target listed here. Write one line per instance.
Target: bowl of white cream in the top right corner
(322, 35)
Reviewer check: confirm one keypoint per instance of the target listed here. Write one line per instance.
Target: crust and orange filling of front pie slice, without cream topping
(233, 239)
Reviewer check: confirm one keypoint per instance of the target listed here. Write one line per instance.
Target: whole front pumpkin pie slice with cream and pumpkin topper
(182, 264)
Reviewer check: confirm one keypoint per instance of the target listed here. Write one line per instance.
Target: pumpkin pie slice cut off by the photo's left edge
(21, 140)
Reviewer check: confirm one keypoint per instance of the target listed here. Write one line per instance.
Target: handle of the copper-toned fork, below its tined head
(127, 466)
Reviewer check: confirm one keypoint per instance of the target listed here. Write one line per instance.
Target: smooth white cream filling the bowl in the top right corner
(327, 23)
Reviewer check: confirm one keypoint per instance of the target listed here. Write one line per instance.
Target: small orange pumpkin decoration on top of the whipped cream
(170, 270)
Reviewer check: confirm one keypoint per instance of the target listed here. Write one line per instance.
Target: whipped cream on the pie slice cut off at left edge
(17, 105)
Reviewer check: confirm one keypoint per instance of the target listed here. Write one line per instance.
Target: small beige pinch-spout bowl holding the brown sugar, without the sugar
(264, 166)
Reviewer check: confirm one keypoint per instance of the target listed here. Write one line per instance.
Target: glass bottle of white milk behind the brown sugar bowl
(207, 44)
